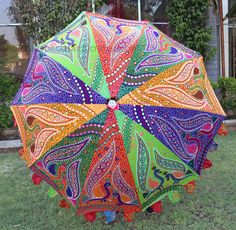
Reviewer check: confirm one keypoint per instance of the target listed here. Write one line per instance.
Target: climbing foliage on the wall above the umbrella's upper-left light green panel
(42, 19)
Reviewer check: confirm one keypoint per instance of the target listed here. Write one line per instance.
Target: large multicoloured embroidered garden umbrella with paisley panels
(115, 115)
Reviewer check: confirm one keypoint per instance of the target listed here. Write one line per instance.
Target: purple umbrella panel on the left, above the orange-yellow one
(46, 81)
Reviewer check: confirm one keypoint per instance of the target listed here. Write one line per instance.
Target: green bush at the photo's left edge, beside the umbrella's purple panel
(8, 88)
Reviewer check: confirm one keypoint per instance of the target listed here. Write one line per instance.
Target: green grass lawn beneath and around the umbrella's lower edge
(212, 206)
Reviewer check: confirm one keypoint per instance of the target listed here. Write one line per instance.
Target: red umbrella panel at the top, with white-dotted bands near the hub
(115, 43)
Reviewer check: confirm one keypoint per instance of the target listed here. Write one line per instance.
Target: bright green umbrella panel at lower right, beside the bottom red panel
(155, 168)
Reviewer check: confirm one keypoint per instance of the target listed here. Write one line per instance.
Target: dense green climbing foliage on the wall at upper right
(188, 20)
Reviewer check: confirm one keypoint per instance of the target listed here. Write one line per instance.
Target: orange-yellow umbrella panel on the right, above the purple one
(183, 86)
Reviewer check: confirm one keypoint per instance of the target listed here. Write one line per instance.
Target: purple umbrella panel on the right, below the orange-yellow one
(188, 133)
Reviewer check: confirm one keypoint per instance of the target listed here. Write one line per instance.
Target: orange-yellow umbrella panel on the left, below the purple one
(43, 126)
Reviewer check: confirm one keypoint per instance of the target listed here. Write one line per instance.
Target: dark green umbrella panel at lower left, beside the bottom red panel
(66, 164)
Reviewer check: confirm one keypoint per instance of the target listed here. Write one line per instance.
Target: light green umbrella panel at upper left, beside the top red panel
(74, 47)
